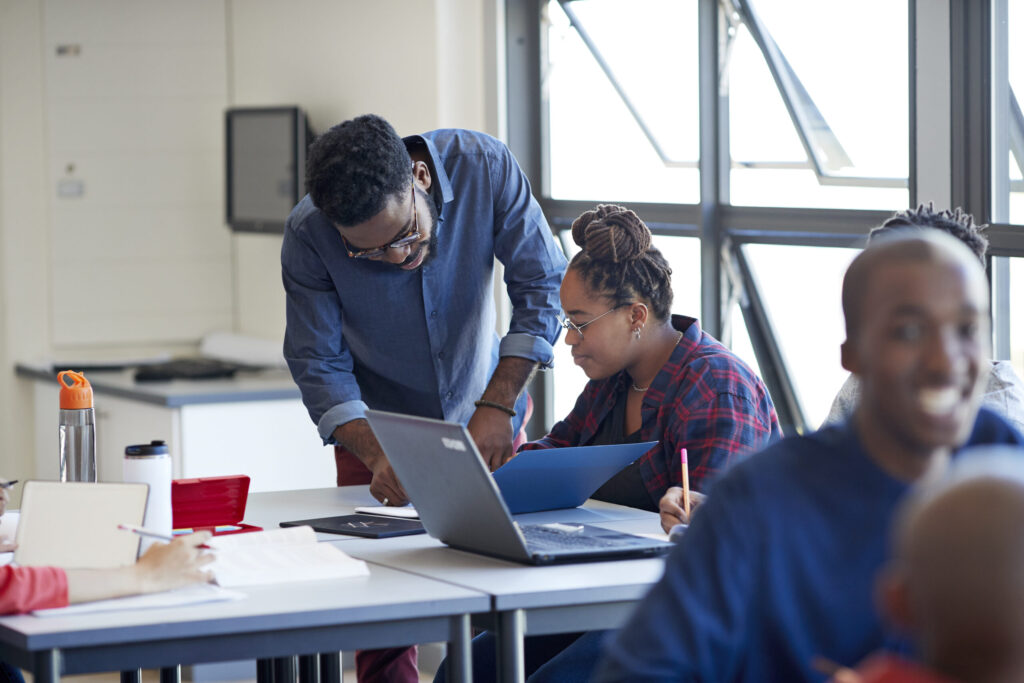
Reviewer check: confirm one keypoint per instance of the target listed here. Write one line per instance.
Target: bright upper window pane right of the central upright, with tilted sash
(847, 65)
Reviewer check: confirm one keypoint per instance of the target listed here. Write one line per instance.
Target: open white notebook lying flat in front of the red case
(277, 557)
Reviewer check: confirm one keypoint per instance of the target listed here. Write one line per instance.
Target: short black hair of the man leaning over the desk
(355, 167)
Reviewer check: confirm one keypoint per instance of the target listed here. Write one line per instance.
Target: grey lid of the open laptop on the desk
(458, 500)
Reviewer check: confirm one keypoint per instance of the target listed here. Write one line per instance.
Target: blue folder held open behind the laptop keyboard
(556, 479)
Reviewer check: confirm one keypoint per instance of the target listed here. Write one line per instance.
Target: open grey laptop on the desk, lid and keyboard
(459, 503)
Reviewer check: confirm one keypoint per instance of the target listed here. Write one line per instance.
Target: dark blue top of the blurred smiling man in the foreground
(778, 569)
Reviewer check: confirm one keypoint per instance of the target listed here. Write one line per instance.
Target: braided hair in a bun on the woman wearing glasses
(618, 261)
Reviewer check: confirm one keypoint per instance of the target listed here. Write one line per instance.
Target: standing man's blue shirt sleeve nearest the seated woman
(534, 263)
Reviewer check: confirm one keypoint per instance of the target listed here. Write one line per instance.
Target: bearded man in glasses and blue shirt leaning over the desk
(389, 268)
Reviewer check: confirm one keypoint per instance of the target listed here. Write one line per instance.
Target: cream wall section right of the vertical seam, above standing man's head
(419, 65)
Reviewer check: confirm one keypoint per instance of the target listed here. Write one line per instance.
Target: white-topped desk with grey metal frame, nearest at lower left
(387, 610)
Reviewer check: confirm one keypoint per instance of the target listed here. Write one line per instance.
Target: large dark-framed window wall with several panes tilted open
(815, 129)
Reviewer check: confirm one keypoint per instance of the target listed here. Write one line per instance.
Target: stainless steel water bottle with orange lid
(77, 430)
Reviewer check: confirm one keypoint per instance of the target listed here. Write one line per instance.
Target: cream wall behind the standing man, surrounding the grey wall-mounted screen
(420, 64)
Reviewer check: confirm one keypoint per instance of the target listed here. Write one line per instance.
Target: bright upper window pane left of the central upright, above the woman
(599, 149)
